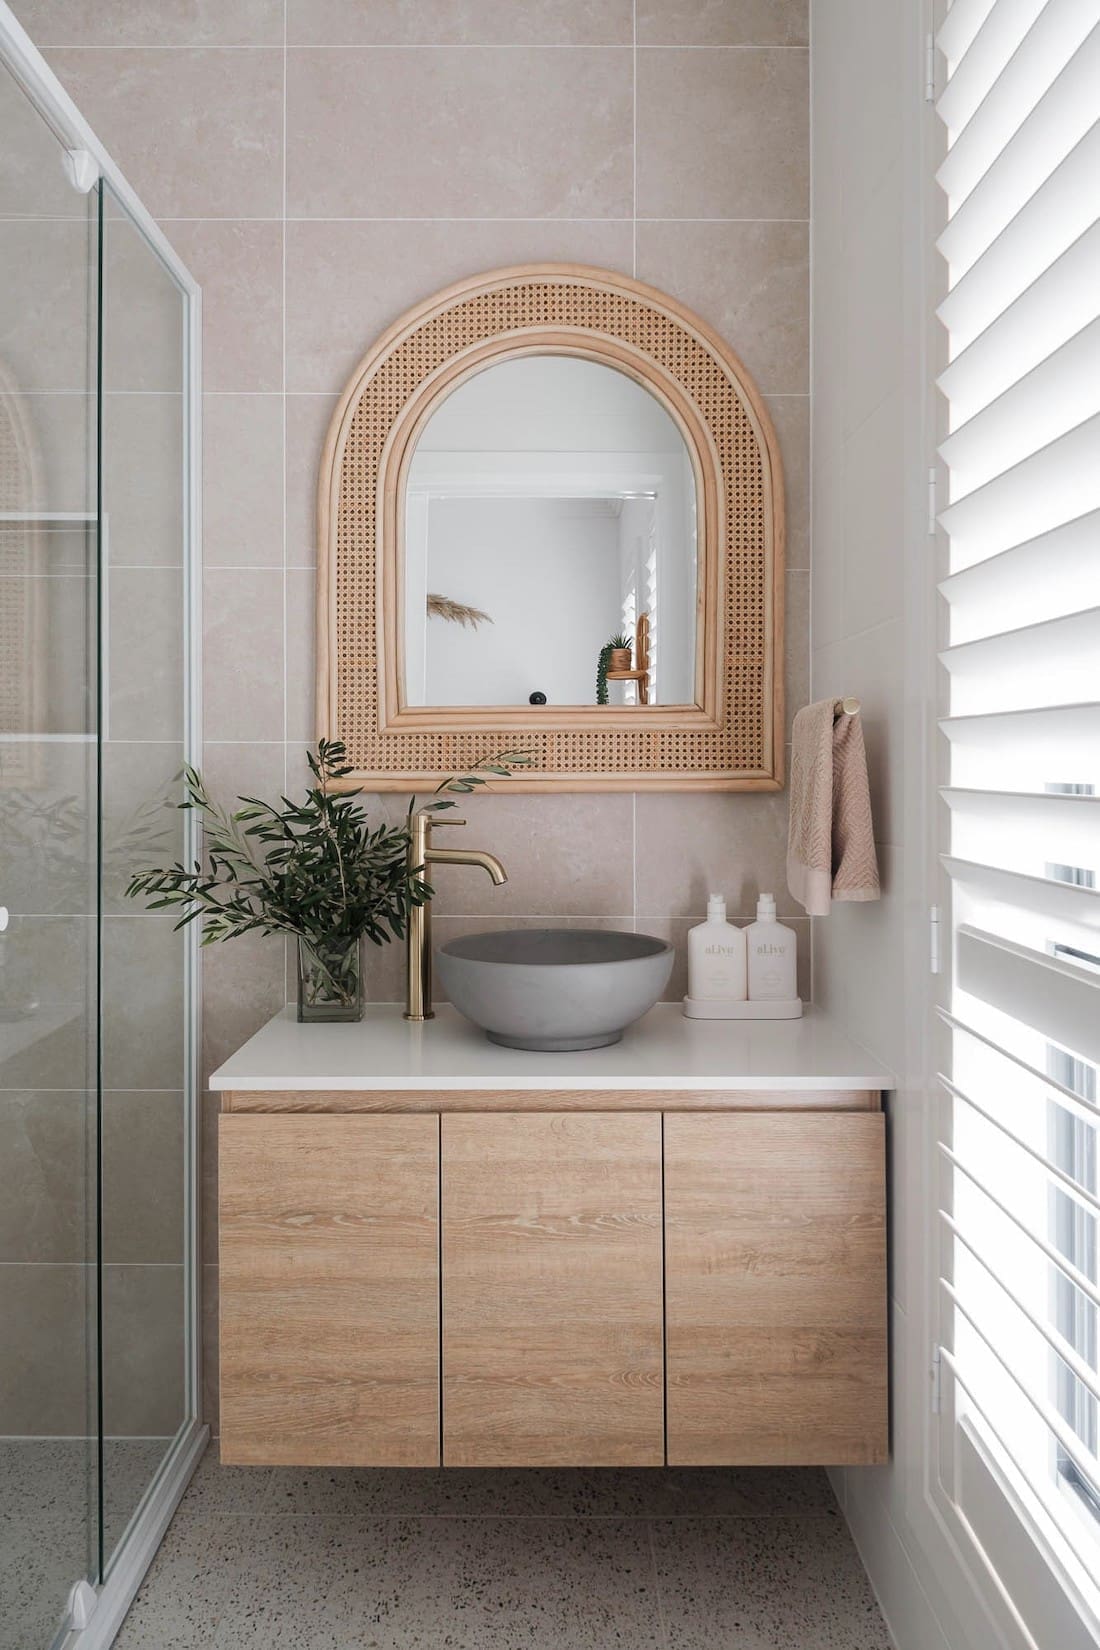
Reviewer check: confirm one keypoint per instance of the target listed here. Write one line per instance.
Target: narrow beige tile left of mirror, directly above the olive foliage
(243, 654)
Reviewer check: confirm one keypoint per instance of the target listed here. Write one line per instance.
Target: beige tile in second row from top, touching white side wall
(723, 134)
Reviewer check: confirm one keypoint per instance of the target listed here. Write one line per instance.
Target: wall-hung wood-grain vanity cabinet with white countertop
(621, 1258)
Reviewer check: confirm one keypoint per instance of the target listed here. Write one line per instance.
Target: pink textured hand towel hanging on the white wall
(830, 847)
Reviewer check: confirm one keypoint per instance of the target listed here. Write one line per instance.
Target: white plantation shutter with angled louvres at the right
(1022, 804)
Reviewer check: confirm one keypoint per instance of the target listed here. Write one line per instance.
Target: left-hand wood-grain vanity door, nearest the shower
(331, 1291)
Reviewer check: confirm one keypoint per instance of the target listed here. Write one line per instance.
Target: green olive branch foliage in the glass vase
(316, 869)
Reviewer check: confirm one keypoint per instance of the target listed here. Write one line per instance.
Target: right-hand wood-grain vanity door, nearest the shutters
(776, 1289)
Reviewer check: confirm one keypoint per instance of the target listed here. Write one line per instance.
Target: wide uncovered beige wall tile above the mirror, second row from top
(482, 133)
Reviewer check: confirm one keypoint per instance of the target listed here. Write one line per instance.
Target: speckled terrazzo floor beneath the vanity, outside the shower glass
(647, 1560)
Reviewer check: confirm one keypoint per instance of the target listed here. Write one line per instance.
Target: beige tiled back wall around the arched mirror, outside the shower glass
(322, 166)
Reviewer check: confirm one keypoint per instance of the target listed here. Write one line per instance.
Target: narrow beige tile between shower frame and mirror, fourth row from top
(243, 481)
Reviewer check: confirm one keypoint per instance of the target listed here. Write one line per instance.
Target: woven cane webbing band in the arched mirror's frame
(748, 491)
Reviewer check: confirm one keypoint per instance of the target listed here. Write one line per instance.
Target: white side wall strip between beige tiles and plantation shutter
(873, 636)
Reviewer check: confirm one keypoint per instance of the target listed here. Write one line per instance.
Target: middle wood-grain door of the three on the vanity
(553, 1291)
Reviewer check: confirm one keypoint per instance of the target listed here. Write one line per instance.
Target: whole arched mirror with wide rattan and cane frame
(525, 469)
